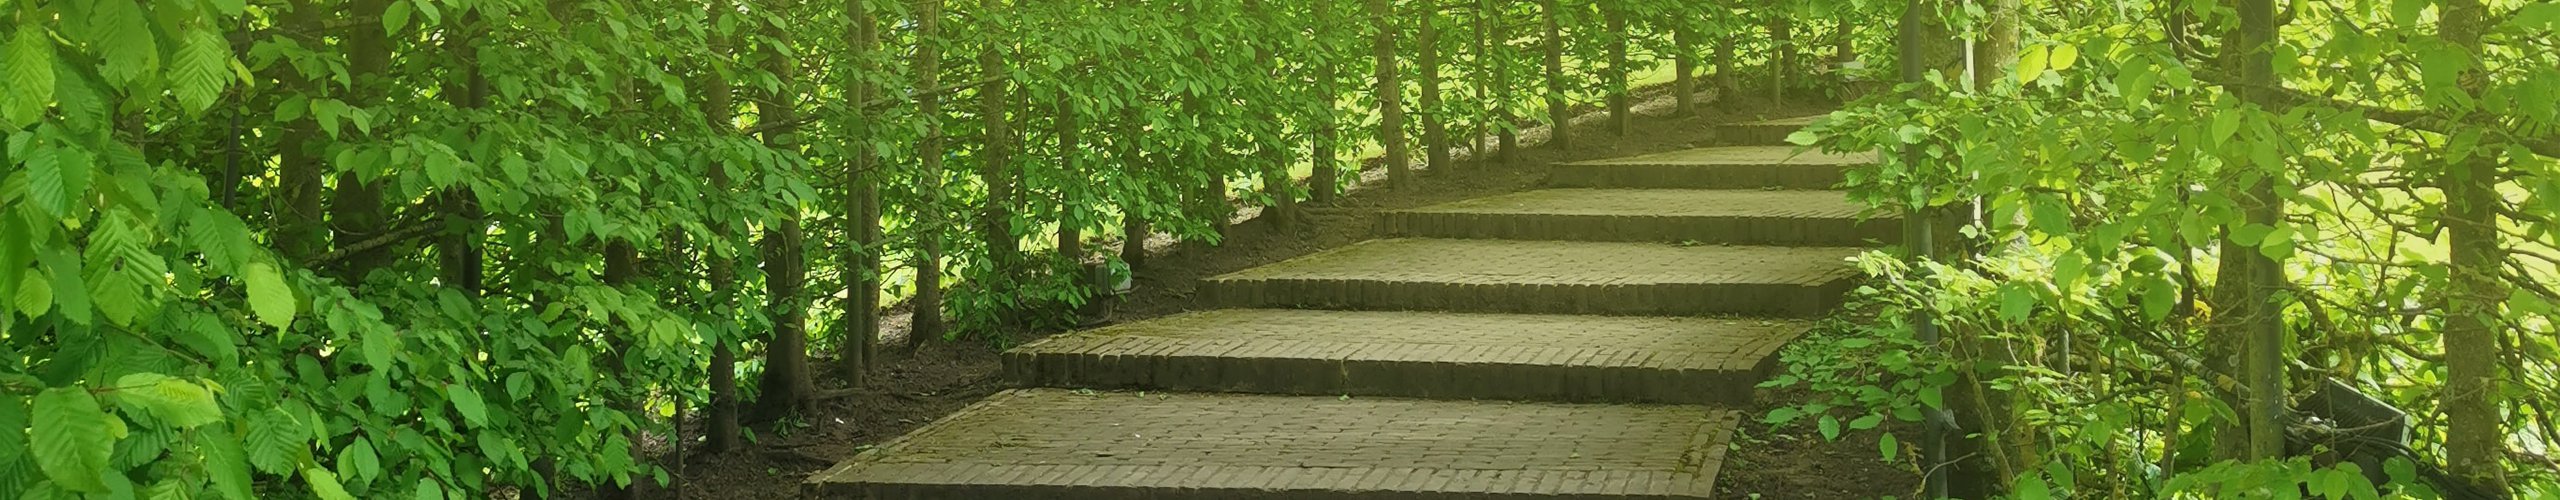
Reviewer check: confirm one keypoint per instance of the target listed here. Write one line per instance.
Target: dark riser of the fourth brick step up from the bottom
(1757, 232)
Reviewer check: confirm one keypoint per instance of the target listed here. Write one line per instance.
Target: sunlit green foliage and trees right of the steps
(2180, 219)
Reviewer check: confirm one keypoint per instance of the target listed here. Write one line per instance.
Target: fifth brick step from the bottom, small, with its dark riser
(1722, 168)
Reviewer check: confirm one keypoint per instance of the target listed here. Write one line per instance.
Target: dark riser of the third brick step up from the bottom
(1768, 301)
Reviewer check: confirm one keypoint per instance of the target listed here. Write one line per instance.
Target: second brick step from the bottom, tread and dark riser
(1417, 355)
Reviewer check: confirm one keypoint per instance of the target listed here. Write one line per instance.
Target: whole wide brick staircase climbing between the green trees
(1578, 342)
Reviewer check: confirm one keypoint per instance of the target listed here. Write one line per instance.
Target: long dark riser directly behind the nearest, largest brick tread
(1573, 378)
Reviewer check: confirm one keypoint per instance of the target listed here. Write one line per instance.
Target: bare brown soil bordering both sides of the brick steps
(948, 376)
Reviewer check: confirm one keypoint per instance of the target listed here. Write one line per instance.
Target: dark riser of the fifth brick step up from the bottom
(1701, 176)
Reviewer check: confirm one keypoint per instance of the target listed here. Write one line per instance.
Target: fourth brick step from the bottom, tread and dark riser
(1706, 217)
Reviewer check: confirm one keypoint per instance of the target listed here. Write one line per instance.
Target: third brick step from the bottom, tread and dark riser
(1594, 278)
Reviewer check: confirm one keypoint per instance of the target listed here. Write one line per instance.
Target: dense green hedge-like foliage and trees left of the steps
(457, 247)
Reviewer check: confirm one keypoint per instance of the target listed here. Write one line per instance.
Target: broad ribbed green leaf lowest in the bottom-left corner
(73, 440)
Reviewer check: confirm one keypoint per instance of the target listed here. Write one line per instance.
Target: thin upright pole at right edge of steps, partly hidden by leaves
(1919, 240)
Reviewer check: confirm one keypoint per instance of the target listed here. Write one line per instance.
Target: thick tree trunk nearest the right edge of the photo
(2474, 427)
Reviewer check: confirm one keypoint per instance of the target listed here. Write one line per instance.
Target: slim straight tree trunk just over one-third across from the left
(928, 317)
